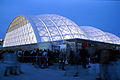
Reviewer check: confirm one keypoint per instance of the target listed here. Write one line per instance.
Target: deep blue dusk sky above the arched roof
(101, 14)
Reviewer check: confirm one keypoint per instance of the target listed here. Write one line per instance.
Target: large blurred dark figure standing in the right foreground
(104, 54)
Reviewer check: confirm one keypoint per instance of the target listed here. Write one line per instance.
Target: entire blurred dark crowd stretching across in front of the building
(45, 58)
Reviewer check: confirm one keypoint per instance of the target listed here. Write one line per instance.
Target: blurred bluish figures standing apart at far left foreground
(11, 62)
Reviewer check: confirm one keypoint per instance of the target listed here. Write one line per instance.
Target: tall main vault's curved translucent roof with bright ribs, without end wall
(54, 27)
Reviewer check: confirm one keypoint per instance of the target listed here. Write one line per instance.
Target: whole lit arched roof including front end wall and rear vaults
(49, 27)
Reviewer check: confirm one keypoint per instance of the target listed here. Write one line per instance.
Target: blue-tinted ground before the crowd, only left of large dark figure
(52, 73)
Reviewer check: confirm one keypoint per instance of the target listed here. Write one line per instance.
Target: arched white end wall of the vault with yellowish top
(20, 32)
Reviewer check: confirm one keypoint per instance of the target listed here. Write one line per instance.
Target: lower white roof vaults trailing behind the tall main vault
(98, 35)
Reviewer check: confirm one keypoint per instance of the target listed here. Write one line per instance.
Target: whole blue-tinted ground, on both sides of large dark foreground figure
(53, 73)
